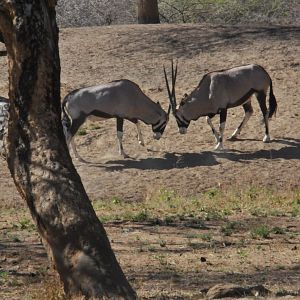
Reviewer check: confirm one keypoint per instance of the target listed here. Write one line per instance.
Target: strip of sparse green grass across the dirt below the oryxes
(167, 207)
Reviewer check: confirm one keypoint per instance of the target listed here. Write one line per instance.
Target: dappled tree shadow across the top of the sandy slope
(177, 42)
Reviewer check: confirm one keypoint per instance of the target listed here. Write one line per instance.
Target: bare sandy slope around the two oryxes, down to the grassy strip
(185, 163)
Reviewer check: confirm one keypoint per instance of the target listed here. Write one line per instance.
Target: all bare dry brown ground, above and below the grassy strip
(167, 259)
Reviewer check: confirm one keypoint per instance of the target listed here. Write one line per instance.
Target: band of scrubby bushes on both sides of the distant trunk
(77, 13)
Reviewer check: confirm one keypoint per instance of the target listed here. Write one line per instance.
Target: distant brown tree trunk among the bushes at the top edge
(148, 12)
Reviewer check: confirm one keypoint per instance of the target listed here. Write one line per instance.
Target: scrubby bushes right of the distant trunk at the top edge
(227, 11)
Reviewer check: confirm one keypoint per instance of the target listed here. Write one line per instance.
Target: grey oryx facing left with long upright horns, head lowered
(221, 90)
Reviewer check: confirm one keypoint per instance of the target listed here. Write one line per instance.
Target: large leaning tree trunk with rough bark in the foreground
(39, 160)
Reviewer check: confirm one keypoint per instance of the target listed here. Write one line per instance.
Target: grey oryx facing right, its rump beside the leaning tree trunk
(120, 99)
